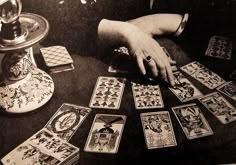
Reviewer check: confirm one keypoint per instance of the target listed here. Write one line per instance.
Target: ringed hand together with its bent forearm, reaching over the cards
(145, 50)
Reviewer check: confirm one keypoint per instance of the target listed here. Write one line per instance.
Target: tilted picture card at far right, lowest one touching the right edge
(219, 107)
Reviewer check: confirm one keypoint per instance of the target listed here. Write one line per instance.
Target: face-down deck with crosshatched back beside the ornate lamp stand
(57, 59)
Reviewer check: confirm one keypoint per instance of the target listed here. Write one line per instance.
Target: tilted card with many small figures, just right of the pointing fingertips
(203, 74)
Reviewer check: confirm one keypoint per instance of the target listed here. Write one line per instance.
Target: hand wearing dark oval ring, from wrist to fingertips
(149, 55)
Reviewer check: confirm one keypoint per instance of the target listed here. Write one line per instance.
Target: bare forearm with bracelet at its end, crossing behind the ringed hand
(158, 24)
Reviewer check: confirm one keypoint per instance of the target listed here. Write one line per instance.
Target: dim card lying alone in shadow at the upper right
(219, 47)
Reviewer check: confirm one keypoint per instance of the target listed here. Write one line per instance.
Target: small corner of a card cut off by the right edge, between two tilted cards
(229, 89)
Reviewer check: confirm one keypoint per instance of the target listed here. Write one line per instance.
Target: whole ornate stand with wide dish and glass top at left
(23, 86)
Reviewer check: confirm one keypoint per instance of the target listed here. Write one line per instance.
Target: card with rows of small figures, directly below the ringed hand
(147, 96)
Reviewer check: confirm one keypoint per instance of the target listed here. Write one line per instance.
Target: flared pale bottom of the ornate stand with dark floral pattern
(27, 94)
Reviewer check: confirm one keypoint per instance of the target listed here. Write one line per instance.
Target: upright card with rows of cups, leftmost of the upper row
(108, 93)
